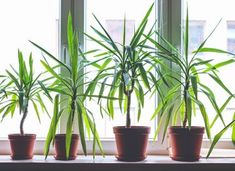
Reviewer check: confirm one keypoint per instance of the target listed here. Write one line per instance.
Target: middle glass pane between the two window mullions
(111, 14)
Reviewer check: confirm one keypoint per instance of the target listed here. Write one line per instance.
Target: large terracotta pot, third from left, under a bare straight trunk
(131, 142)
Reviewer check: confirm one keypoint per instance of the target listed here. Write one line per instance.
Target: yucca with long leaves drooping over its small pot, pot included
(70, 88)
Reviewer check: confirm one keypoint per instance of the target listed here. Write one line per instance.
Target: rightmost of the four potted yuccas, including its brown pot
(186, 94)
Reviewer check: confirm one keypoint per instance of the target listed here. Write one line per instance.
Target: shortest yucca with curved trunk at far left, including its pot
(23, 88)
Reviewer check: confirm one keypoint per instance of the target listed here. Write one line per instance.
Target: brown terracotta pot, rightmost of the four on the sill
(185, 143)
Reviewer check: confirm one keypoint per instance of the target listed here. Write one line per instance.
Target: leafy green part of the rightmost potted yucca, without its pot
(188, 85)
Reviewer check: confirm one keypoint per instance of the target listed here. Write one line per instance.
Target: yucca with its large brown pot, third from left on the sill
(124, 70)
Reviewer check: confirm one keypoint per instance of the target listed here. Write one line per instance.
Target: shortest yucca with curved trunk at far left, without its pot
(23, 88)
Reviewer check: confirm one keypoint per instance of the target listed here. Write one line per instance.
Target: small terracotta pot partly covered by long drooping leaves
(60, 149)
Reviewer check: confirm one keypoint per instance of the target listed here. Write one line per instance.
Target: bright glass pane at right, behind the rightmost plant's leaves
(206, 17)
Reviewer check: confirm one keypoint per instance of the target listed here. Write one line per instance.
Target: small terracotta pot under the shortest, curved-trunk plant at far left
(22, 146)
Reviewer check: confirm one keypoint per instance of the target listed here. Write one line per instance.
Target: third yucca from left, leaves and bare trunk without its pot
(123, 69)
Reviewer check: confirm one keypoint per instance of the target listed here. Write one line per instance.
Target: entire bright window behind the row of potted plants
(39, 21)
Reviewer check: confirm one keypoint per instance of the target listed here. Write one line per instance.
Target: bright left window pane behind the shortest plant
(21, 21)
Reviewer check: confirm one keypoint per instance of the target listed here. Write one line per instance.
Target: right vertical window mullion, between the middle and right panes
(169, 17)
